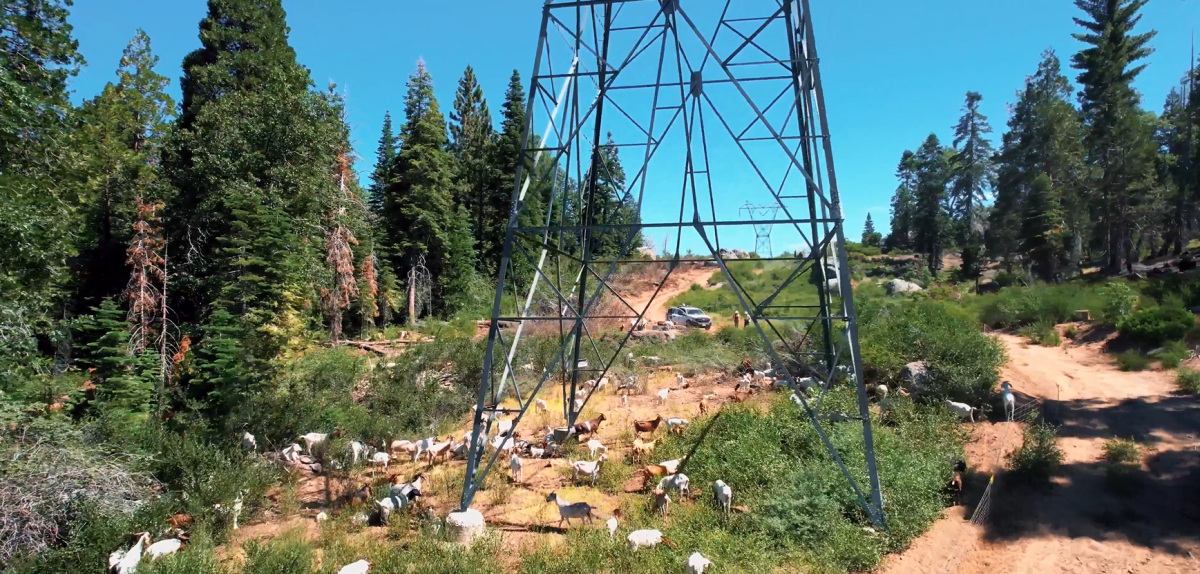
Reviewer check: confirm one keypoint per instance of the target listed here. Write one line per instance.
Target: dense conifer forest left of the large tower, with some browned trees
(177, 252)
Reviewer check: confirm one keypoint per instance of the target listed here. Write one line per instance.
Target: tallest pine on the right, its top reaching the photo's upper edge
(1109, 105)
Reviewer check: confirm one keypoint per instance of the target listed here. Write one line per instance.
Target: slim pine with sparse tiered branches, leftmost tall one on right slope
(973, 175)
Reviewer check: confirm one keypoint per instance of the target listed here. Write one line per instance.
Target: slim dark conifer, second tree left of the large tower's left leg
(471, 137)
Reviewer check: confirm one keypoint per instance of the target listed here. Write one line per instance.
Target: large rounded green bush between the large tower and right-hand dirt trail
(963, 362)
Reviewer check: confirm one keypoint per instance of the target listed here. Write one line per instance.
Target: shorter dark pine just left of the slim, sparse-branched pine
(932, 222)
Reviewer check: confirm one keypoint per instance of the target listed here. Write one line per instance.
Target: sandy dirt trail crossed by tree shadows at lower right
(1081, 525)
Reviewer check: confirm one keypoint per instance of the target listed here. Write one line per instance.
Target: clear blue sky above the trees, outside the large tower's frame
(893, 71)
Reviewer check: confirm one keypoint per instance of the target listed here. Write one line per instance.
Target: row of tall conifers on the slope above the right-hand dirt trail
(1081, 178)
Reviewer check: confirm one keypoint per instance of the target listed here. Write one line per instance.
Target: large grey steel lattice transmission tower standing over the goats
(705, 107)
